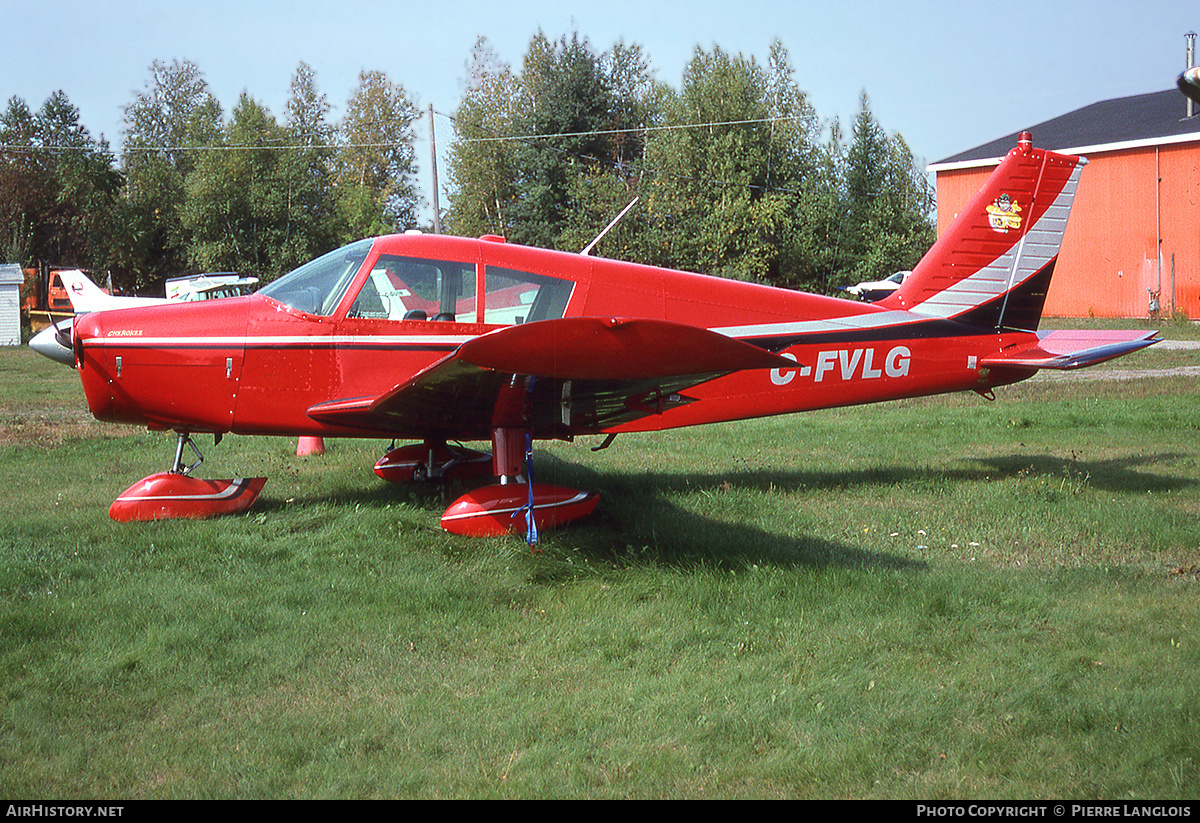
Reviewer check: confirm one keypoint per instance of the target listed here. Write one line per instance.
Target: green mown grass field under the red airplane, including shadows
(947, 598)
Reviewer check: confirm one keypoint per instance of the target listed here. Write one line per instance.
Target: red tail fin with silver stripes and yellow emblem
(992, 268)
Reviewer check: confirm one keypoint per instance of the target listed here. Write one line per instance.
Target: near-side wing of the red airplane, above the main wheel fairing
(572, 376)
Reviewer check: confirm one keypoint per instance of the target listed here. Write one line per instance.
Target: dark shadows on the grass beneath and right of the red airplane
(638, 514)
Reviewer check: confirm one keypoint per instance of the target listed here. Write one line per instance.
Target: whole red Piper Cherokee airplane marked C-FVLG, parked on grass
(441, 340)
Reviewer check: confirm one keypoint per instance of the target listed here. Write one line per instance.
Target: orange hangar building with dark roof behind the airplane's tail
(1133, 244)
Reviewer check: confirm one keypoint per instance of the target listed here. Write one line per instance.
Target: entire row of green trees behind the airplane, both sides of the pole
(734, 172)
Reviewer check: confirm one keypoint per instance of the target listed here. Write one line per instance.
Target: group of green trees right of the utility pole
(731, 171)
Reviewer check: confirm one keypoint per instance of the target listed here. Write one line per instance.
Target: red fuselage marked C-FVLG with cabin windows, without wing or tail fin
(380, 313)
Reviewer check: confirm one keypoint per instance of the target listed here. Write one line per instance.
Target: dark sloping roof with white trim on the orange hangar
(1126, 123)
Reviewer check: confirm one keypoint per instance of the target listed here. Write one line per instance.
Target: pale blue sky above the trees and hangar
(947, 76)
